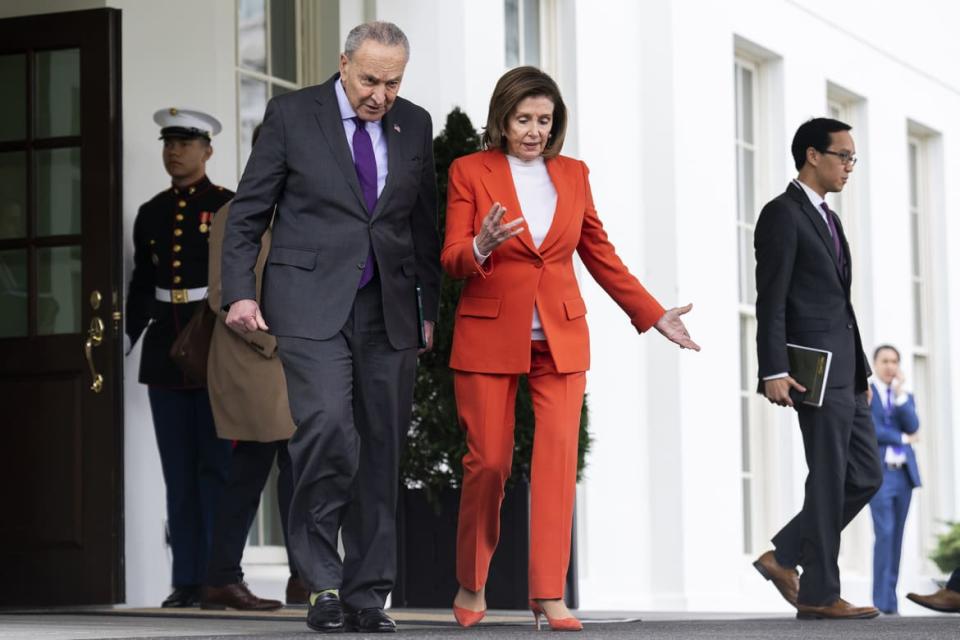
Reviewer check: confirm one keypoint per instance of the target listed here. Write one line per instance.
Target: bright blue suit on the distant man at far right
(890, 505)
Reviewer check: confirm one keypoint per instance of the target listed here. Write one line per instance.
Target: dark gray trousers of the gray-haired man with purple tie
(350, 397)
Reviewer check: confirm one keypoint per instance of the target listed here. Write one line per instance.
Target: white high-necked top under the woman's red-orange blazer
(538, 204)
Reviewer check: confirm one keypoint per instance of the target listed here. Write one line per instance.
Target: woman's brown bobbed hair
(514, 87)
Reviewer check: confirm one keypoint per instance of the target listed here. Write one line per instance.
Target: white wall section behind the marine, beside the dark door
(168, 60)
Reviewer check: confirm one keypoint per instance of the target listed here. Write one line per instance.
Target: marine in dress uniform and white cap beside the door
(169, 281)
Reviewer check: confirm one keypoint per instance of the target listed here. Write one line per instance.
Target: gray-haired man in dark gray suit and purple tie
(349, 167)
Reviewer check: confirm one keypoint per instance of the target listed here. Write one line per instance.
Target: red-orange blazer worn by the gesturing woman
(492, 328)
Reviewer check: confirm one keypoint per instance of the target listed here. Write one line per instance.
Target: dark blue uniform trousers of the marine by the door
(196, 464)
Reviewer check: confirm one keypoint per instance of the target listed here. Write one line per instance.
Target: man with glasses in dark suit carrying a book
(804, 274)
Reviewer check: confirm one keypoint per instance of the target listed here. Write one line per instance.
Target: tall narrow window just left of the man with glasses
(746, 148)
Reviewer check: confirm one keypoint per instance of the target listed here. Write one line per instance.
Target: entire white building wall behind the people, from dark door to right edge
(649, 86)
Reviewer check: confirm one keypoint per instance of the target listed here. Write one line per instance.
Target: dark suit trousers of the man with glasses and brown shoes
(844, 472)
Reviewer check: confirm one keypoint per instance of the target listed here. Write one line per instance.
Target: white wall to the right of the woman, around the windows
(660, 144)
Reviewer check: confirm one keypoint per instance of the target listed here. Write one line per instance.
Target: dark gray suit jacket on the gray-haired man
(322, 232)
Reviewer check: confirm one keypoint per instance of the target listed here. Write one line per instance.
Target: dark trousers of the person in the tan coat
(251, 465)
